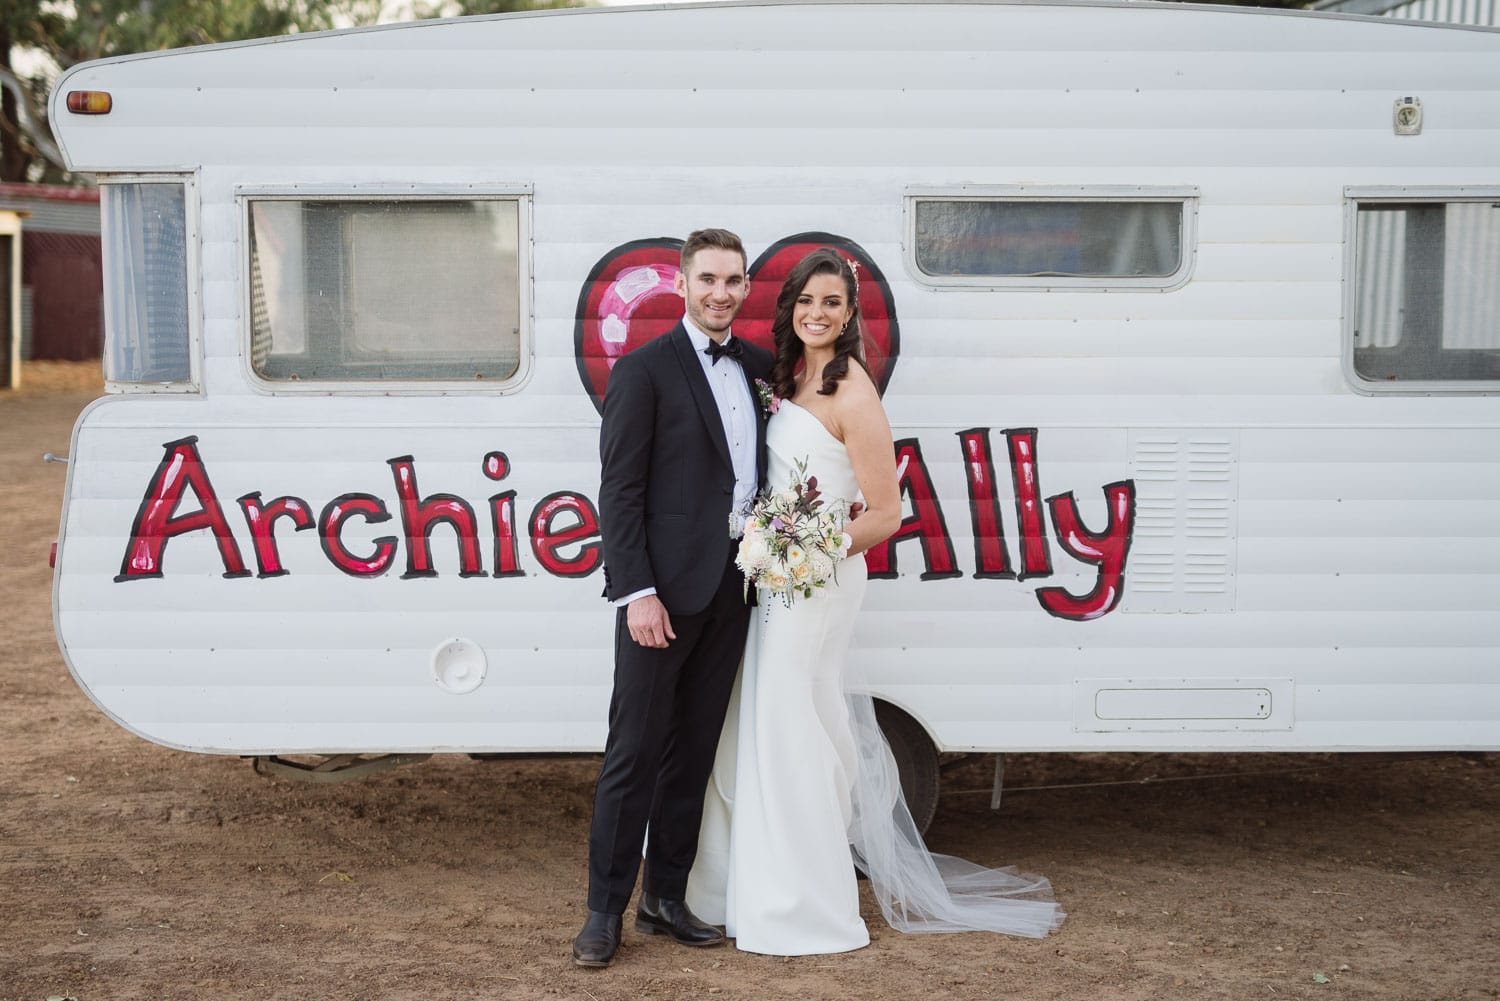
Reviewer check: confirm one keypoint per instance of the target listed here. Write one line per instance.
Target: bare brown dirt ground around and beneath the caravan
(130, 871)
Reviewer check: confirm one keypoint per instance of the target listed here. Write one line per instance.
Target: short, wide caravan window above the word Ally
(1052, 239)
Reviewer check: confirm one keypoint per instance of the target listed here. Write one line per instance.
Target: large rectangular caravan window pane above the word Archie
(347, 290)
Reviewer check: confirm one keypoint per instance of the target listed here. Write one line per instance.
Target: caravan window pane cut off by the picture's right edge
(1426, 295)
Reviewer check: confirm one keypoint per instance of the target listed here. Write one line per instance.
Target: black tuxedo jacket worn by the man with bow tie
(667, 481)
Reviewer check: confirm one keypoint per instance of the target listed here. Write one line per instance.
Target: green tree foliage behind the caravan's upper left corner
(76, 32)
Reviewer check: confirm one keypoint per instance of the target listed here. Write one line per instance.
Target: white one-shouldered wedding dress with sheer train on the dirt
(803, 775)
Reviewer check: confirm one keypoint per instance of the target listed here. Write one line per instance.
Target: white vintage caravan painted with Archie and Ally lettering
(1187, 322)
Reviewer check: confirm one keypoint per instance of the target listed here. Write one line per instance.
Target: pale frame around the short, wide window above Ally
(1187, 196)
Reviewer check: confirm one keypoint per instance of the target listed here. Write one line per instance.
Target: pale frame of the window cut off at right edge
(1357, 196)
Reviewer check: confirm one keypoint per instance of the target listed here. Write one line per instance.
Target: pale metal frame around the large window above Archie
(520, 194)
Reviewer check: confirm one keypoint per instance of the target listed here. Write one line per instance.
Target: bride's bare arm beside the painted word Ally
(868, 437)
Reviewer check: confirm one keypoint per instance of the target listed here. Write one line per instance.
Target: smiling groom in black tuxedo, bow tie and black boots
(682, 448)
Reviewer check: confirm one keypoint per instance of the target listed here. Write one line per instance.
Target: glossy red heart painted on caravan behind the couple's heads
(629, 299)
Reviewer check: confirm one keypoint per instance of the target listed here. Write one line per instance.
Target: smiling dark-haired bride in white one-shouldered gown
(803, 774)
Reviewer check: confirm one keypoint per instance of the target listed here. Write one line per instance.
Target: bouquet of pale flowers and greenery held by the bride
(793, 544)
